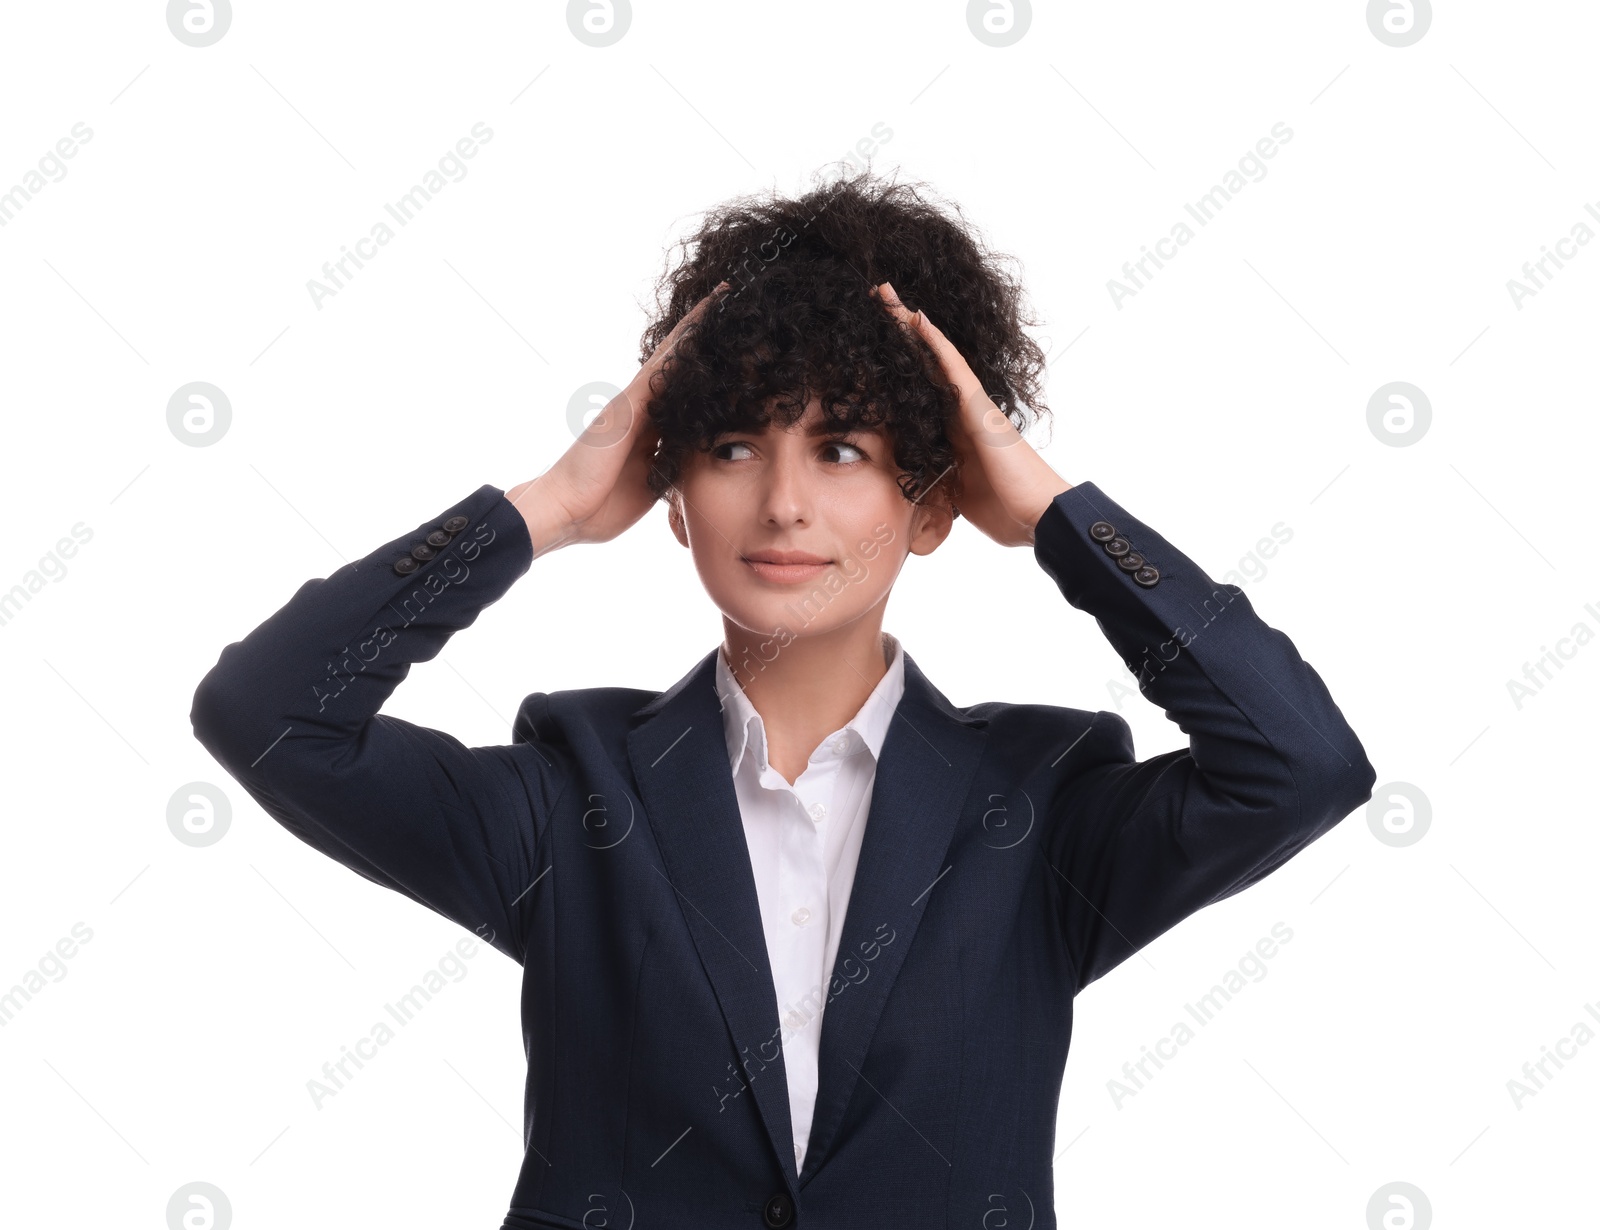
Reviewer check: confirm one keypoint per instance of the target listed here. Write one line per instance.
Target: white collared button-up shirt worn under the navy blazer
(804, 844)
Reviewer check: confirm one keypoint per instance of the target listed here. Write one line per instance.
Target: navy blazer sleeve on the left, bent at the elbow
(292, 714)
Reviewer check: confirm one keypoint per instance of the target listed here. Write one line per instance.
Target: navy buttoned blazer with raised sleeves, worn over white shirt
(1014, 855)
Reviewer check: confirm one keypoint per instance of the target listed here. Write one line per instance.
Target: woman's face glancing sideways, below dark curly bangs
(801, 530)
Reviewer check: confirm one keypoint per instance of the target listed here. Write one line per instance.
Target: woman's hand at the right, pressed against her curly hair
(1004, 484)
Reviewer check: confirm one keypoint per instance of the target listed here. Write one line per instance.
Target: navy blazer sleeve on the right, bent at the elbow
(1140, 845)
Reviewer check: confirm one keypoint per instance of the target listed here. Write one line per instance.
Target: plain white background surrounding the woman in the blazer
(1228, 396)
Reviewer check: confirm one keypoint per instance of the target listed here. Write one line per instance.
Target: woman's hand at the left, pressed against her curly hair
(599, 487)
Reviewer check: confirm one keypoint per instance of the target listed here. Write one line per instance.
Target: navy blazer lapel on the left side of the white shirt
(681, 764)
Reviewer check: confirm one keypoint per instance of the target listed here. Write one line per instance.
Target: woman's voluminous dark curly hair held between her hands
(799, 321)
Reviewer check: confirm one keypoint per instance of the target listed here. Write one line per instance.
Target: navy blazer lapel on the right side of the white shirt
(924, 775)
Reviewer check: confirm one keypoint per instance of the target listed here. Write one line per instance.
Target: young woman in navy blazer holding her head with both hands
(801, 938)
